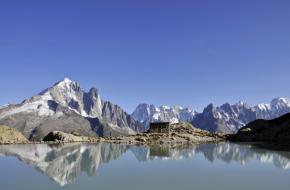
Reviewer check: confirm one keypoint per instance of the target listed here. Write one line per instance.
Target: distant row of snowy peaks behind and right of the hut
(225, 118)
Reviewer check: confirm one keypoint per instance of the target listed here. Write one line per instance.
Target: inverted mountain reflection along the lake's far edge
(64, 163)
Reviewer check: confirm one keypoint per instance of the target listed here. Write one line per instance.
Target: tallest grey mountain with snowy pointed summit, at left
(67, 107)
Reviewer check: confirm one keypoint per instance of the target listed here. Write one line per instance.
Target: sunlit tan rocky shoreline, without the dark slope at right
(181, 133)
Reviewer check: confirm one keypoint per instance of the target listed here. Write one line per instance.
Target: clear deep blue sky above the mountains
(185, 52)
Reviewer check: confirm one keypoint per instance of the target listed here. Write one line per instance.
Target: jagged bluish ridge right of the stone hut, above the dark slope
(229, 118)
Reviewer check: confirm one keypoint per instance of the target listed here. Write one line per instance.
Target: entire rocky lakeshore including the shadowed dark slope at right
(269, 134)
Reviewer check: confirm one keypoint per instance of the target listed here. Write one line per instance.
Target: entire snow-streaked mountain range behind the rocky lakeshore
(67, 107)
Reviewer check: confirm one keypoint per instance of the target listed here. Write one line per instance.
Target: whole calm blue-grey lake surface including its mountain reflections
(114, 166)
